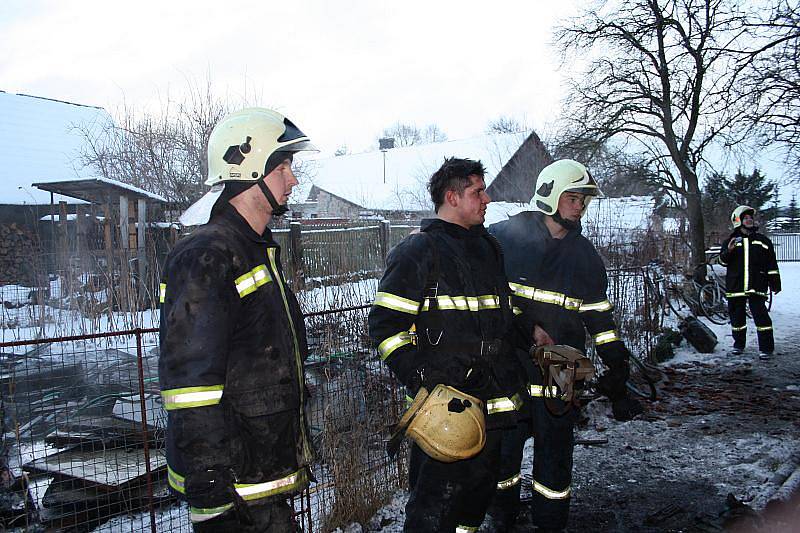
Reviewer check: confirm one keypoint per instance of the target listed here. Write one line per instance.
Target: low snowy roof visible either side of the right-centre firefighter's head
(626, 213)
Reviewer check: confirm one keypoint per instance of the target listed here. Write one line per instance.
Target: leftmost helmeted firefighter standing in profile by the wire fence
(233, 339)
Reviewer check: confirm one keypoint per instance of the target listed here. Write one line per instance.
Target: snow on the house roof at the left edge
(39, 143)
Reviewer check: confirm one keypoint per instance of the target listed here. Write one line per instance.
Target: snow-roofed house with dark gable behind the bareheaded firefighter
(392, 183)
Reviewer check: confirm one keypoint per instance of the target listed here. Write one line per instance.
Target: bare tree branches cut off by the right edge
(775, 82)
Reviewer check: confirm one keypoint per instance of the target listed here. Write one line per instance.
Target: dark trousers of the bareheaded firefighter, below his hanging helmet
(451, 497)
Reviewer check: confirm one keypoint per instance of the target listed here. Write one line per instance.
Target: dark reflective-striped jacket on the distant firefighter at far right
(752, 266)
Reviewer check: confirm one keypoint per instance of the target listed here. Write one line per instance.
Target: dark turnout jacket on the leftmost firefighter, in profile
(231, 369)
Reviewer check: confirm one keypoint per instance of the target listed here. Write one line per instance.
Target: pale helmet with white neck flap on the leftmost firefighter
(238, 150)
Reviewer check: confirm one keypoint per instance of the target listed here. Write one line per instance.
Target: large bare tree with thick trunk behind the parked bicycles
(663, 78)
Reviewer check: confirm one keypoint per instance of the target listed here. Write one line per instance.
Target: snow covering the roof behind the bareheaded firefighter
(359, 178)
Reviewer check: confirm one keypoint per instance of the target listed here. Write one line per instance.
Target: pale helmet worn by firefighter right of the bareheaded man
(559, 177)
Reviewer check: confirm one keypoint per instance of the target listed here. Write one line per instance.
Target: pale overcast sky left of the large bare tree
(341, 70)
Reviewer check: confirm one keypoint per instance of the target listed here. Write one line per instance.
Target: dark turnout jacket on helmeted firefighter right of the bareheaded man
(560, 284)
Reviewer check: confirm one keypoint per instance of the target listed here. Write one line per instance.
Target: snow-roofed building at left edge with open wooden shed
(46, 193)
